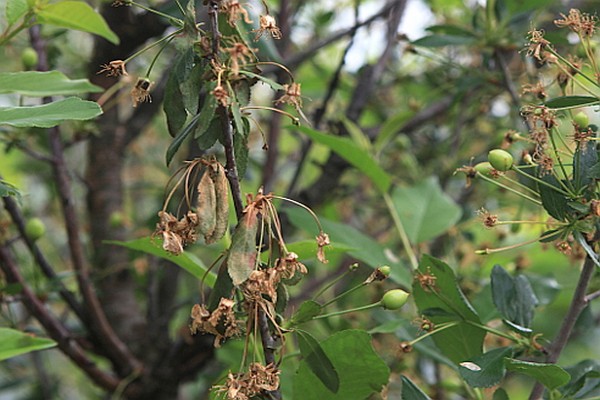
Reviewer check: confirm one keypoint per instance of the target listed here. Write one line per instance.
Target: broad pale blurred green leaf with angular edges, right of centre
(425, 210)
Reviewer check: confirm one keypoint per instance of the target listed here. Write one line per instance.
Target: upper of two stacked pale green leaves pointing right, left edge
(40, 84)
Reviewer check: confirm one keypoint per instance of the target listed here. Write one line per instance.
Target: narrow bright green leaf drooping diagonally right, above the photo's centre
(352, 153)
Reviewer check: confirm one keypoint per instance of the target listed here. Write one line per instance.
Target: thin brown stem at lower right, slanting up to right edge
(578, 304)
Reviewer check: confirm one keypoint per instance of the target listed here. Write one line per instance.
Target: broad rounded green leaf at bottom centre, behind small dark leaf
(360, 370)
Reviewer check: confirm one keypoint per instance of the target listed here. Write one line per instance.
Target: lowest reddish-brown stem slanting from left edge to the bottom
(57, 331)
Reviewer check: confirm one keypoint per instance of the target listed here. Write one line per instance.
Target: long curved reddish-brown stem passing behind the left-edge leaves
(117, 351)
